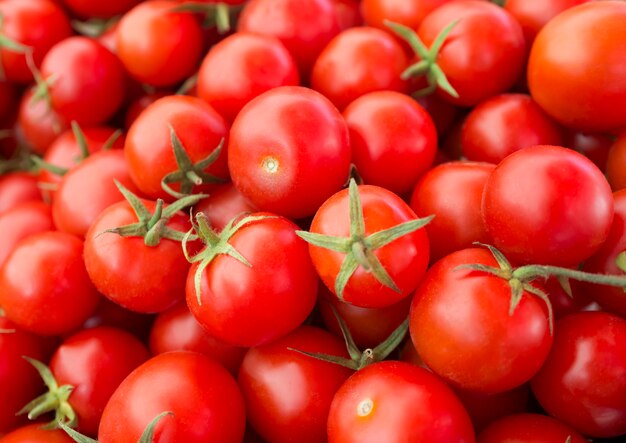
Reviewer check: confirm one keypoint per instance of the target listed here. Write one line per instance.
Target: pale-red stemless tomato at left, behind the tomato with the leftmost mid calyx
(88, 189)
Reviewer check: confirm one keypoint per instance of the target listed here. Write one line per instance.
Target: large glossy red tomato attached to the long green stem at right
(461, 327)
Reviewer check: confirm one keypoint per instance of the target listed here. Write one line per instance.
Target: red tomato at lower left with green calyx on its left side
(95, 361)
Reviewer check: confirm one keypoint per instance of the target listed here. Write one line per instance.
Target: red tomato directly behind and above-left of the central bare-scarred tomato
(241, 67)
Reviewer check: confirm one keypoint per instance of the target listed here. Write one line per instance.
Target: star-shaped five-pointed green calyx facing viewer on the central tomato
(359, 247)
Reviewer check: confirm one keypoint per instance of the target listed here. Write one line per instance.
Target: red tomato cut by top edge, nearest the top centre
(304, 26)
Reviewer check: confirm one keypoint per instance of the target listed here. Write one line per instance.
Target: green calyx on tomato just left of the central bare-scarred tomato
(188, 173)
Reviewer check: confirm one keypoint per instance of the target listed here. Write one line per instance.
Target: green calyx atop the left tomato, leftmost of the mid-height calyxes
(152, 226)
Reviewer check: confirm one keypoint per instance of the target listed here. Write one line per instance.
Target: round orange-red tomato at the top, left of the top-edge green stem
(158, 46)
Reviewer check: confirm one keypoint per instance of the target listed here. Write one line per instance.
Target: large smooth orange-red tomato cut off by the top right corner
(557, 67)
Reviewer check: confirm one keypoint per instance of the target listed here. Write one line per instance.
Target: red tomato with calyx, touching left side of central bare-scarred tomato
(148, 146)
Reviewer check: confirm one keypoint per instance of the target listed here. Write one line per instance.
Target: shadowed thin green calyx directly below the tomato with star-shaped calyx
(360, 359)
